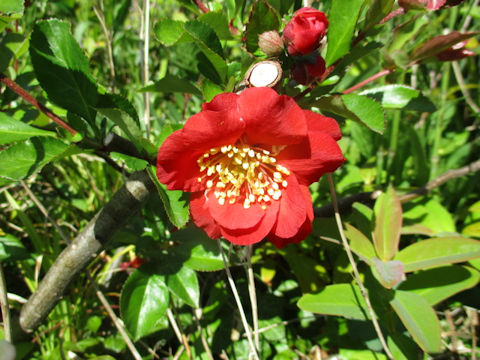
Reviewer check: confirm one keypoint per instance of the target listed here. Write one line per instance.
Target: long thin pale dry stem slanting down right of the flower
(357, 277)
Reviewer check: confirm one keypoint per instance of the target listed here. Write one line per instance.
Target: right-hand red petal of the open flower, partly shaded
(310, 160)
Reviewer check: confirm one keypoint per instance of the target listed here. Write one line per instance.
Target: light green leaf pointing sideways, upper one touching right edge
(438, 251)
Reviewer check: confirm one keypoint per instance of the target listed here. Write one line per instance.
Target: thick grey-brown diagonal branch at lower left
(78, 254)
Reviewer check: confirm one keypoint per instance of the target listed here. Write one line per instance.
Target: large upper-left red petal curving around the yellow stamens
(177, 157)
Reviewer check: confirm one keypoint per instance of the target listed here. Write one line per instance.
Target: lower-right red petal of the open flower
(293, 210)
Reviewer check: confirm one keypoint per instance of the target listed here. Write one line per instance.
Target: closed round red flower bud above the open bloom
(304, 31)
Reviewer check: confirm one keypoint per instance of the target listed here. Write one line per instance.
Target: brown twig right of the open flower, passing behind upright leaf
(369, 197)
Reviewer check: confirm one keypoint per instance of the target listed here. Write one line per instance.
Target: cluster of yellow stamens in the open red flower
(241, 173)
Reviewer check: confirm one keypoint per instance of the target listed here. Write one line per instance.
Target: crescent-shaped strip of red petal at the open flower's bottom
(257, 233)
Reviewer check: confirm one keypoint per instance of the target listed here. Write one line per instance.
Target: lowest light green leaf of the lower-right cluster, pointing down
(419, 318)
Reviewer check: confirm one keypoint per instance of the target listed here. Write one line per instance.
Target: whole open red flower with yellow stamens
(247, 160)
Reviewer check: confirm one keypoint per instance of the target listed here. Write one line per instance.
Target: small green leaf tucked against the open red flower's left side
(174, 201)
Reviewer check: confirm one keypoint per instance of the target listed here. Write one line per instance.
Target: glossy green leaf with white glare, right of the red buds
(400, 97)
